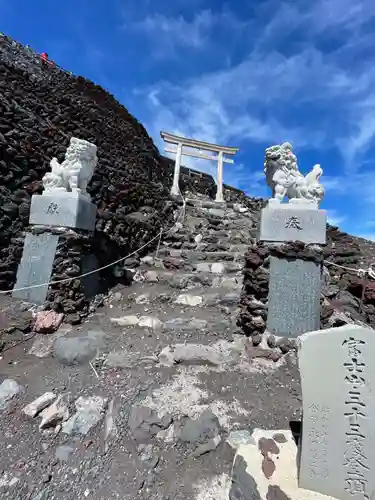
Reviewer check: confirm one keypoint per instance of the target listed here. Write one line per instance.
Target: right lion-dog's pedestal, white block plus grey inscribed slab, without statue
(295, 279)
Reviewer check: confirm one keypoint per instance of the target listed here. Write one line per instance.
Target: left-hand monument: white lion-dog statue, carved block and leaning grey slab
(64, 208)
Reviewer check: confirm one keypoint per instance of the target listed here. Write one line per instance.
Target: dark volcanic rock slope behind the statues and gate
(41, 108)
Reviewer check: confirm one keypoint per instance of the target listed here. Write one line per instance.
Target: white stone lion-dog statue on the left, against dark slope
(75, 172)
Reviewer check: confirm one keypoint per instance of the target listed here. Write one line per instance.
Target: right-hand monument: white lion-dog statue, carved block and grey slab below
(295, 278)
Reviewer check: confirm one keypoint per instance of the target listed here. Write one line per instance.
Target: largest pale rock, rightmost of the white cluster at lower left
(89, 412)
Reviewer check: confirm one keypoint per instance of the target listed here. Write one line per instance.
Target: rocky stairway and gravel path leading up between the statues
(153, 393)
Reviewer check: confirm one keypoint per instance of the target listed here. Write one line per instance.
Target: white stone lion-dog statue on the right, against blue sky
(285, 180)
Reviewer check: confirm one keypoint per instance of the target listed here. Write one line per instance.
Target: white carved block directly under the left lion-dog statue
(63, 210)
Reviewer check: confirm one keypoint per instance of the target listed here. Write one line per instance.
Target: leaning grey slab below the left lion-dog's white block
(36, 266)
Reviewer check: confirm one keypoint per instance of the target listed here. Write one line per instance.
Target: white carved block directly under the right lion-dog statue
(288, 222)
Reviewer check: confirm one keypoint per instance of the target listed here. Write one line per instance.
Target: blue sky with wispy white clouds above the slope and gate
(242, 73)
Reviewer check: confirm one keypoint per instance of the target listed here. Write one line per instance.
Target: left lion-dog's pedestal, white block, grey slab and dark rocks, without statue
(55, 219)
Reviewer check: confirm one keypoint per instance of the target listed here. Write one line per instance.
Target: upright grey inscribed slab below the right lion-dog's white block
(293, 297)
